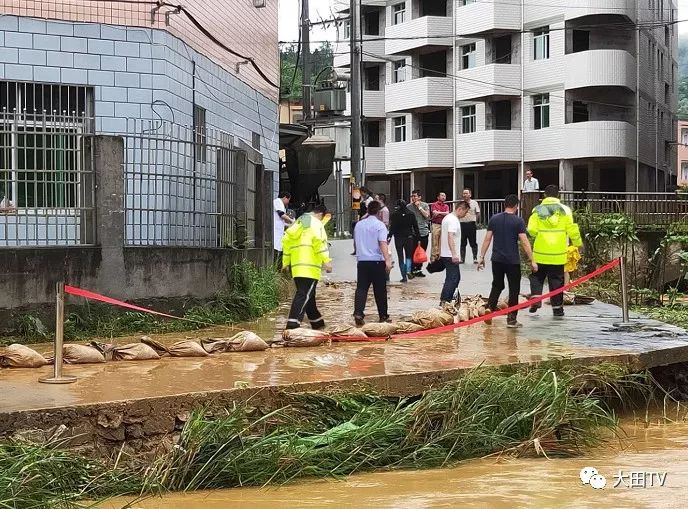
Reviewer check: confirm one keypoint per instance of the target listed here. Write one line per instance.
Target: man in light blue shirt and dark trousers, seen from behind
(374, 263)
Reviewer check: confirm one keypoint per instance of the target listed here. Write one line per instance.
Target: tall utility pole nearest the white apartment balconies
(355, 47)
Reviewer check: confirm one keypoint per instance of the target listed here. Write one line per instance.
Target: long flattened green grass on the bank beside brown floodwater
(557, 411)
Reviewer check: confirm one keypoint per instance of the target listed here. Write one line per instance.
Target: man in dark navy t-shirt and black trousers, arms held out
(507, 229)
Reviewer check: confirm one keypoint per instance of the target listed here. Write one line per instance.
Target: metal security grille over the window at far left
(47, 184)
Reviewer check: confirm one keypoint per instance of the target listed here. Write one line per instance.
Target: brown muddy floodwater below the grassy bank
(648, 454)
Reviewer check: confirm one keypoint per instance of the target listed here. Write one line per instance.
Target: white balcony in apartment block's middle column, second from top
(482, 82)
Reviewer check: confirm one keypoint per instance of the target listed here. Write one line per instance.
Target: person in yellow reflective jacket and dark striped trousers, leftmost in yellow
(305, 254)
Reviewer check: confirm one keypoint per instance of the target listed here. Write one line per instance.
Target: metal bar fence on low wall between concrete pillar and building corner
(183, 189)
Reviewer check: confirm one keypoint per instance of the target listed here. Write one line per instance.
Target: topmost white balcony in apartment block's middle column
(486, 17)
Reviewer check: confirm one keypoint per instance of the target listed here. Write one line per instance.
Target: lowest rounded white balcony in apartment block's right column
(583, 139)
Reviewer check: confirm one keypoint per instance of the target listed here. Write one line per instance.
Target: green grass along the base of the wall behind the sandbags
(250, 293)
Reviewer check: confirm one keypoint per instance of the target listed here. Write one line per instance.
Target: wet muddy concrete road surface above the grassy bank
(174, 386)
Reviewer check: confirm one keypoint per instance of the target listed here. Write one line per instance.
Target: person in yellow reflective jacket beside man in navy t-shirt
(552, 227)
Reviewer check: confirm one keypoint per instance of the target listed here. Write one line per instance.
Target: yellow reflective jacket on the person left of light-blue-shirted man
(305, 247)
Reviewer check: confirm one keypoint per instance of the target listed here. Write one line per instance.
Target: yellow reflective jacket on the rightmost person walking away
(551, 225)
